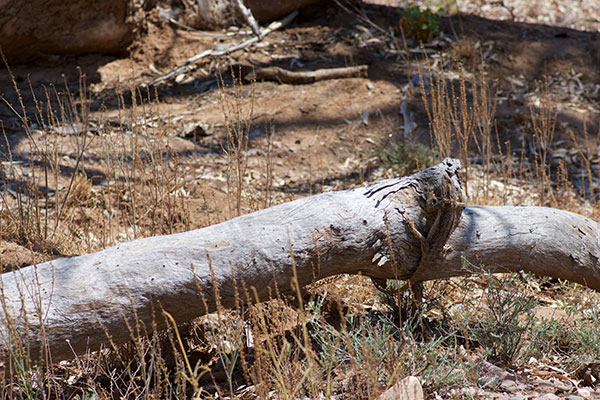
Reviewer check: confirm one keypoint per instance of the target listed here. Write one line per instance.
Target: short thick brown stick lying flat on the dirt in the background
(303, 77)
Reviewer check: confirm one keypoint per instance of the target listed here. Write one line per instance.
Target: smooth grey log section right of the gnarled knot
(544, 241)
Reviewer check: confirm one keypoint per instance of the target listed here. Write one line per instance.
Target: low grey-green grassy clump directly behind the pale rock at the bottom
(376, 352)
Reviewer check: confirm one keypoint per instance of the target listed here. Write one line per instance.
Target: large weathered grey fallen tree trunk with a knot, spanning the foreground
(407, 228)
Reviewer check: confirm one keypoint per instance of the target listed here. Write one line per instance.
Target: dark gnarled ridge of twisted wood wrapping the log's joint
(442, 201)
